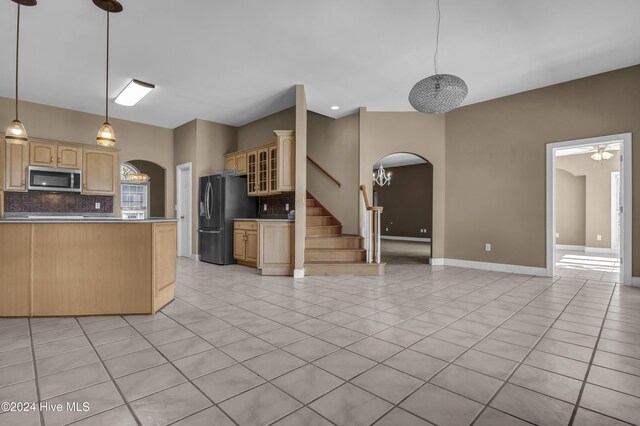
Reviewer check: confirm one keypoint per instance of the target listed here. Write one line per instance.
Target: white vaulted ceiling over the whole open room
(235, 61)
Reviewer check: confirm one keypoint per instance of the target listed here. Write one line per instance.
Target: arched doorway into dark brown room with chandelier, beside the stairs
(405, 190)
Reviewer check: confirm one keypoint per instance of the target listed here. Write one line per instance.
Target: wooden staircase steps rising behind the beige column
(328, 251)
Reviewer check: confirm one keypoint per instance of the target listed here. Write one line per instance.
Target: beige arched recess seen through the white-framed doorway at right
(570, 208)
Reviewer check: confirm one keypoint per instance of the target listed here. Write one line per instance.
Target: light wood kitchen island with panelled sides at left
(90, 266)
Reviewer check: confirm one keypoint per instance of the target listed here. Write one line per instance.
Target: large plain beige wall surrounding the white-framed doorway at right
(496, 162)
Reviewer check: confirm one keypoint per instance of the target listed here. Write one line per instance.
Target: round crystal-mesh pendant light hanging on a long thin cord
(438, 93)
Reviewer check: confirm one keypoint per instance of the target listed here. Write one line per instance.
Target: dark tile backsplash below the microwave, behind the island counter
(46, 202)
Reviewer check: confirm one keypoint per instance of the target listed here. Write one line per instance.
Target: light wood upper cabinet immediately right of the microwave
(99, 172)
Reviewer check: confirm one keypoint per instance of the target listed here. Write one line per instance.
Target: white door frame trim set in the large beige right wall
(625, 180)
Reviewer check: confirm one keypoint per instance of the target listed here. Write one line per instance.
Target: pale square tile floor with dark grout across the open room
(422, 345)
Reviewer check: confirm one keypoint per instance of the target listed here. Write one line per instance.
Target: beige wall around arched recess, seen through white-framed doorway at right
(598, 194)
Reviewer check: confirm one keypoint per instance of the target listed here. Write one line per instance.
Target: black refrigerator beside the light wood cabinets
(222, 199)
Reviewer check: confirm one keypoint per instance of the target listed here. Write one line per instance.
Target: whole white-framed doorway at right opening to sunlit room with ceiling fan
(589, 198)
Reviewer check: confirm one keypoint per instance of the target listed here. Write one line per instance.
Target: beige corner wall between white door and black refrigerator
(203, 144)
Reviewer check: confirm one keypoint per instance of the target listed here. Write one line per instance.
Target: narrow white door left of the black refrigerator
(183, 209)
